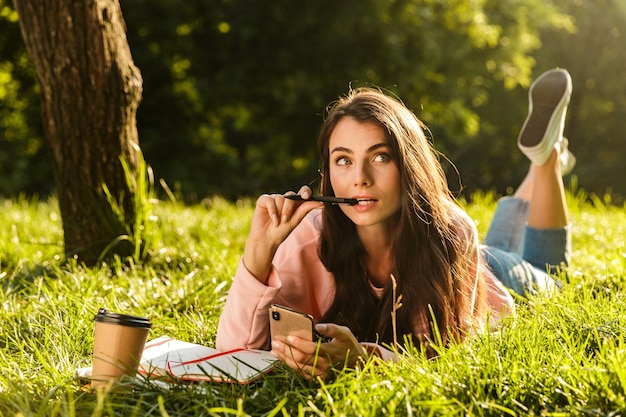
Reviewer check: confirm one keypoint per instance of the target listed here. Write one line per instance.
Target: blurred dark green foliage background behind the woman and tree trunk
(234, 90)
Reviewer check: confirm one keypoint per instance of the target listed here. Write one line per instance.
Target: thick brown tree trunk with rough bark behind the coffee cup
(90, 91)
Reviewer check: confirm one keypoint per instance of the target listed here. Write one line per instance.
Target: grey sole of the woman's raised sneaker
(545, 98)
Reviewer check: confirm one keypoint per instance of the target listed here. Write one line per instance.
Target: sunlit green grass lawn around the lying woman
(561, 355)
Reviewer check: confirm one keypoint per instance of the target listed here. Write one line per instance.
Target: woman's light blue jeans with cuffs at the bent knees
(520, 256)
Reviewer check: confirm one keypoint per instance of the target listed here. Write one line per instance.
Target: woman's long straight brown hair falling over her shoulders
(434, 247)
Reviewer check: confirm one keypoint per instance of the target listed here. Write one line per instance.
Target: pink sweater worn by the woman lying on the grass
(299, 280)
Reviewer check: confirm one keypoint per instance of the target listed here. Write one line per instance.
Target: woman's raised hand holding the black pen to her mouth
(273, 220)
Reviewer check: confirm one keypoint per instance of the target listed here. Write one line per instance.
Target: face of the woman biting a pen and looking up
(362, 166)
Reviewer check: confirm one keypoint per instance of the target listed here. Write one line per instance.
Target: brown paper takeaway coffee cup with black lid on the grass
(119, 340)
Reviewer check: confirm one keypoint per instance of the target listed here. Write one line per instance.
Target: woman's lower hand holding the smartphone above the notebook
(313, 359)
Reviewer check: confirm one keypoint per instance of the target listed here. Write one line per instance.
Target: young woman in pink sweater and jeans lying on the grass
(347, 265)
